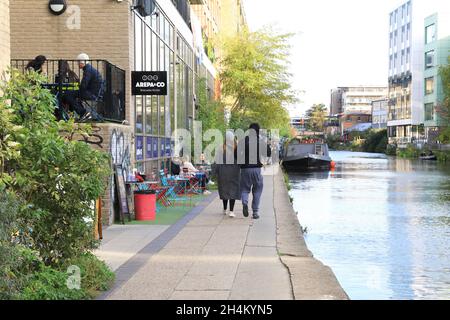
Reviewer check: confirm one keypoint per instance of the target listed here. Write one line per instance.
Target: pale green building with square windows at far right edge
(436, 54)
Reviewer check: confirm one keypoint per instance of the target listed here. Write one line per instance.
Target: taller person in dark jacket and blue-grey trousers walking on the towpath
(251, 177)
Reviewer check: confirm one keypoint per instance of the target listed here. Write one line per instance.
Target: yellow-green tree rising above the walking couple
(256, 80)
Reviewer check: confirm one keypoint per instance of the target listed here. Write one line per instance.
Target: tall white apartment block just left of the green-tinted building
(406, 69)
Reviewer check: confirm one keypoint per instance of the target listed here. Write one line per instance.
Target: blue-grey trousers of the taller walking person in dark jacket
(252, 181)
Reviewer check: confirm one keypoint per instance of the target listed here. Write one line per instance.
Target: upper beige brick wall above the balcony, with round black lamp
(100, 28)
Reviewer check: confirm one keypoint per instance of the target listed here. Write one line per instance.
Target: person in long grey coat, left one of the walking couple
(228, 174)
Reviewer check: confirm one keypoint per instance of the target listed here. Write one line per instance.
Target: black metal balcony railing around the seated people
(109, 102)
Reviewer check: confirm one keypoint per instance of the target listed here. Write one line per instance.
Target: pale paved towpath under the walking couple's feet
(210, 257)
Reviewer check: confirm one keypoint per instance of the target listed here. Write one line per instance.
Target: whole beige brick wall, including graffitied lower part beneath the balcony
(100, 28)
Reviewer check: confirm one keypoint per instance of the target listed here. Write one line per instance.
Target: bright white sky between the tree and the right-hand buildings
(336, 42)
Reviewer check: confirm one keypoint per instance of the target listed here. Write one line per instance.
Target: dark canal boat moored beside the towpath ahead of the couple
(305, 153)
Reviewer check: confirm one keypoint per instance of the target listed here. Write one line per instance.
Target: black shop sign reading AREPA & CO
(149, 83)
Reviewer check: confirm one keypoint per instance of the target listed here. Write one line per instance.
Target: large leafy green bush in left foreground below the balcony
(58, 179)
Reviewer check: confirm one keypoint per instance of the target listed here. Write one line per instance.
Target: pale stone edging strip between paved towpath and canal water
(311, 279)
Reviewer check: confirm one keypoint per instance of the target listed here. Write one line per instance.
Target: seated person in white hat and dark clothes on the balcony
(89, 88)
